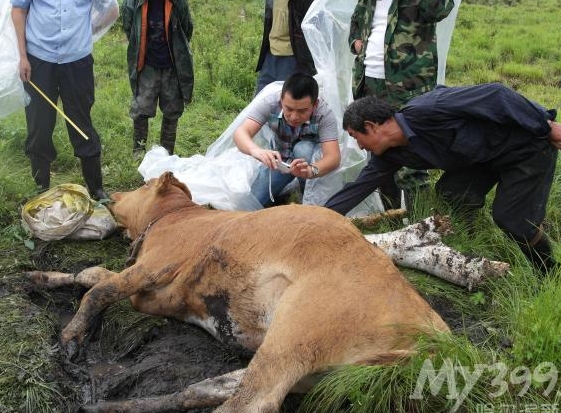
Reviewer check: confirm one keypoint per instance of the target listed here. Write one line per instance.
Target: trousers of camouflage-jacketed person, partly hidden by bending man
(410, 180)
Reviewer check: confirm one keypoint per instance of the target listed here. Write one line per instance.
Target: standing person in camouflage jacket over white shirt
(396, 59)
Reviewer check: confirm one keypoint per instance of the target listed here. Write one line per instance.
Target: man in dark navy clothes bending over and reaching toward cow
(480, 136)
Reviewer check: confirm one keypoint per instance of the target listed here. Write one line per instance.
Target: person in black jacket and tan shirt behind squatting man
(283, 49)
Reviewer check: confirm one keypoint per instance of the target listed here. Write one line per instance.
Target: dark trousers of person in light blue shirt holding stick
(74, 84)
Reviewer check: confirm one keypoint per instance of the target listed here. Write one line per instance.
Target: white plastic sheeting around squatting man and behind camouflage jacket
(326, 28)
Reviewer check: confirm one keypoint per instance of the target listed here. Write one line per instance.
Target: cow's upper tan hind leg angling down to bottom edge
(292, 349)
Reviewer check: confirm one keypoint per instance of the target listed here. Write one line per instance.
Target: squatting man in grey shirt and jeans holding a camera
(300, 121)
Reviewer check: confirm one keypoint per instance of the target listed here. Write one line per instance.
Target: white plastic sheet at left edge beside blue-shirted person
(12, 95)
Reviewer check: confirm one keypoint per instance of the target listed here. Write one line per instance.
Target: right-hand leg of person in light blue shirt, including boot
(77, 92)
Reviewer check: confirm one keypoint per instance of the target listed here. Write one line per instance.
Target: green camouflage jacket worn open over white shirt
(411, 61)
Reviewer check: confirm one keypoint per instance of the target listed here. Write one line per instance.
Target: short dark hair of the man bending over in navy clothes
(369, 108)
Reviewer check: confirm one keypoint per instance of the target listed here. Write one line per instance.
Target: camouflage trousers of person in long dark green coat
(157, 86)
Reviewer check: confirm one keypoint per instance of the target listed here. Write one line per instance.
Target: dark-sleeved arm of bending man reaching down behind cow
(374, 175)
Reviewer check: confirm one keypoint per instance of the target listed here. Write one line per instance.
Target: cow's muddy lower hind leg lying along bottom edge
(207, 393)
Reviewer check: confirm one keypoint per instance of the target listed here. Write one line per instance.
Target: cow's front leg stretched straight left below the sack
(86, 278)
